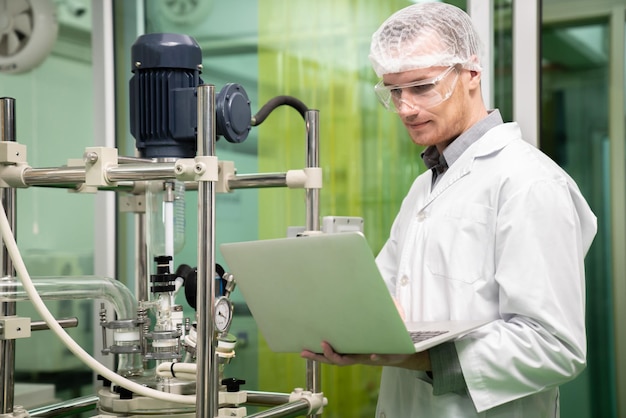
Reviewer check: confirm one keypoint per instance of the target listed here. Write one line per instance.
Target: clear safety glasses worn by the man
(421, 94)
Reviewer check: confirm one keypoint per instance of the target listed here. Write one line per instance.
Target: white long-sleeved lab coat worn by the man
(501, 236)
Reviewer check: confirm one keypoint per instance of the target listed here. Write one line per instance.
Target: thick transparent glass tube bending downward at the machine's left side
(66, 288)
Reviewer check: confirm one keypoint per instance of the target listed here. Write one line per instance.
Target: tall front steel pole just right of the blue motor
(206, 383)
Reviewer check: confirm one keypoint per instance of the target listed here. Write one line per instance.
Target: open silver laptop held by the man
(305, 290)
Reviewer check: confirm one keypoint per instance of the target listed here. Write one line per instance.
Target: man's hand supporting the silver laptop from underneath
(417, 361)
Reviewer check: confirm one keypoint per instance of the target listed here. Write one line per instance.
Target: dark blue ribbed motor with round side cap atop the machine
(163, 102)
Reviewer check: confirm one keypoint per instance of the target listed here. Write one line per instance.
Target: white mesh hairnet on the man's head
(425, 35)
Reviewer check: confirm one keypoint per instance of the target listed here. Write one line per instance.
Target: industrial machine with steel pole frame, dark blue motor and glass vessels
(166, 365)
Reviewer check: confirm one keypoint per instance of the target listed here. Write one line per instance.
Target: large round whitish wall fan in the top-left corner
(28, 30)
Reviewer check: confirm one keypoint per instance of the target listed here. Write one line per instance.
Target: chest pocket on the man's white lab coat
(460, 241)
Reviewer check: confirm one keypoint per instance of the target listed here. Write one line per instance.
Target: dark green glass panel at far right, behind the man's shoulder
(574, 132)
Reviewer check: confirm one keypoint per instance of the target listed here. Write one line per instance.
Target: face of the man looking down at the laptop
(429, 124)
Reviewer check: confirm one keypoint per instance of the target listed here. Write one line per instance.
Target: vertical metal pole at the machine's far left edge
(7, 347)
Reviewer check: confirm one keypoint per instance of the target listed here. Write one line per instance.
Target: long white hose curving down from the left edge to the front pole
(92, 363)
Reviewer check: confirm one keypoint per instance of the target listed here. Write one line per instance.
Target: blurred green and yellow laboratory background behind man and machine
(556, 66)
